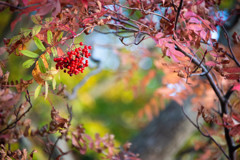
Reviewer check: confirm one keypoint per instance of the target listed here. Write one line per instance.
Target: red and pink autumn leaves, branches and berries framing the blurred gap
(187, 54)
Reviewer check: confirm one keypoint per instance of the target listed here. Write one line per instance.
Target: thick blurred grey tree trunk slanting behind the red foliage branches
(162, 138)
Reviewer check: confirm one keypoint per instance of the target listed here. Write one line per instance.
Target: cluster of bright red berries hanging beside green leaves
(75, 61)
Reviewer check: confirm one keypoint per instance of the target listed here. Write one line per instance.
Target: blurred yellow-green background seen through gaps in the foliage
(106, 103)
